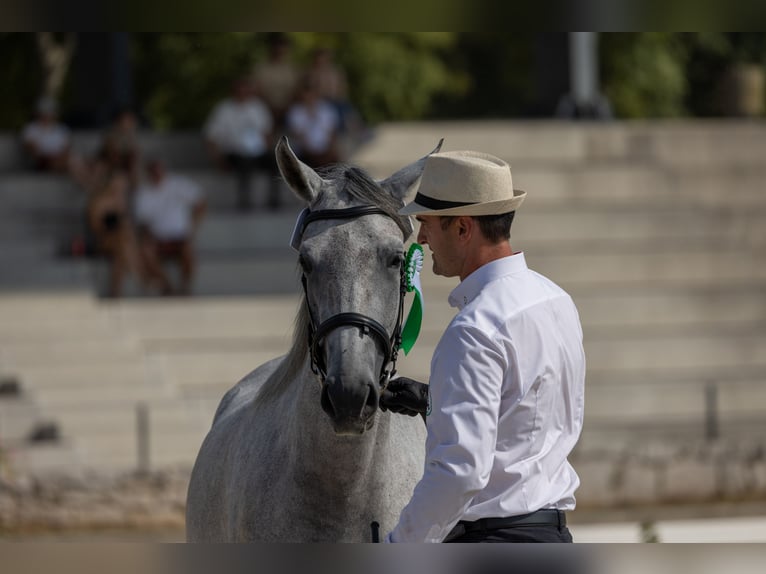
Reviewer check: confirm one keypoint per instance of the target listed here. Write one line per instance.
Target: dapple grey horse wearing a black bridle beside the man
(298, 450)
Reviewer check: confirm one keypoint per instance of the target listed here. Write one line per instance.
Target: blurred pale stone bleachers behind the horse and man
(654, 228)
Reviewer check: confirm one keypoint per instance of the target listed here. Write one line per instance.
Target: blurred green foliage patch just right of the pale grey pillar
(643, 74)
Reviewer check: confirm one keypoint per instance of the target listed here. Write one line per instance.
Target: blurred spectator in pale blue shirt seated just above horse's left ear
(313, 125)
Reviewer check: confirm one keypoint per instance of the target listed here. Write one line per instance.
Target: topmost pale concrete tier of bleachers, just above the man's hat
(682, 143)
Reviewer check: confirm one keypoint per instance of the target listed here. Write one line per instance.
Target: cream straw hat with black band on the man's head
(465, 183)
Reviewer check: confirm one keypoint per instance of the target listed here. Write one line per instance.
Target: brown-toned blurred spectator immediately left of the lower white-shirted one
(109, 222)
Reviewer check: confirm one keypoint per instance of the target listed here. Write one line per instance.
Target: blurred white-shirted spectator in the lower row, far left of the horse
(168, 210)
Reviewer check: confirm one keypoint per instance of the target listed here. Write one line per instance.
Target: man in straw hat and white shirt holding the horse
(507, 377)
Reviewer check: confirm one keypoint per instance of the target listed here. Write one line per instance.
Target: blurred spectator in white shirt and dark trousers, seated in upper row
(239, 137)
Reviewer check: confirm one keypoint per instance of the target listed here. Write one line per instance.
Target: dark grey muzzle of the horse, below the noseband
(350, 404)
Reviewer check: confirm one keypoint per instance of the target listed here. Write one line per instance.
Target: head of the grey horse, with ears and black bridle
(350, 241)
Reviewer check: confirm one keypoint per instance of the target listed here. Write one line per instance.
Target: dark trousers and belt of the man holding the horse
(530, 531)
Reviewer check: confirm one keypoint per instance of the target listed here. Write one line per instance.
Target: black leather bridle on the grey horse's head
(368, 325)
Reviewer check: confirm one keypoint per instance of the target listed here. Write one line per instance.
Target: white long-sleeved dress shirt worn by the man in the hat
(507, 395)
